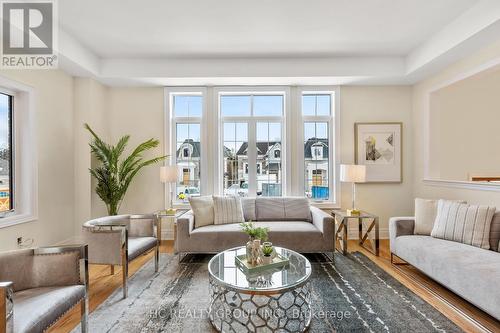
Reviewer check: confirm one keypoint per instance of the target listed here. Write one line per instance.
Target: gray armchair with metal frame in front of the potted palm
(117, 240)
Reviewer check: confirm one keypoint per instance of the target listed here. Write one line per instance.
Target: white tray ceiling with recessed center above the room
(158, 42)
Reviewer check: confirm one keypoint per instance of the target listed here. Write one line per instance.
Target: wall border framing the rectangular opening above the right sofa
(420, 91)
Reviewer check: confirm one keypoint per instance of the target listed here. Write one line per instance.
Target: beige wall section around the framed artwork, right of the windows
(378, 104)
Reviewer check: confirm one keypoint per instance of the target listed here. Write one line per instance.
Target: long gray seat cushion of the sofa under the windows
(300, 236)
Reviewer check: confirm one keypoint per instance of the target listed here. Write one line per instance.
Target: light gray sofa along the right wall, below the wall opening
(470, 272)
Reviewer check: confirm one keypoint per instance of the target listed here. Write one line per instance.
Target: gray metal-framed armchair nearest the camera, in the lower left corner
(38, 286)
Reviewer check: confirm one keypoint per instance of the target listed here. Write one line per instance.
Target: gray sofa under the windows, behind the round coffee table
(291, 221)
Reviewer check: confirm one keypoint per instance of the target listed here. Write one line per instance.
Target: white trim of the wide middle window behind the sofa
(252, 121)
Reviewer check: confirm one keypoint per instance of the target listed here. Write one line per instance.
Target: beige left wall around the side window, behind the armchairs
(54, 137)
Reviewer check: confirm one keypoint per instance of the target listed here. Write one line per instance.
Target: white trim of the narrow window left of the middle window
(170, 137)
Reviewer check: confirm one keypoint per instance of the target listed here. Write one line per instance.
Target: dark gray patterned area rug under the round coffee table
(351, 295)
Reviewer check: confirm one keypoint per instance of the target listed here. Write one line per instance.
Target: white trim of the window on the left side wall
(25, 155)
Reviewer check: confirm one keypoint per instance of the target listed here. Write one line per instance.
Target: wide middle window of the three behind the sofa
(252, 132)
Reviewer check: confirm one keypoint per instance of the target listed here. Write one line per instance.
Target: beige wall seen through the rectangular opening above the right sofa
(470, 104)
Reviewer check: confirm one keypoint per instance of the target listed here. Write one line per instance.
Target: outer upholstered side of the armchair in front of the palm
(105, 243)
